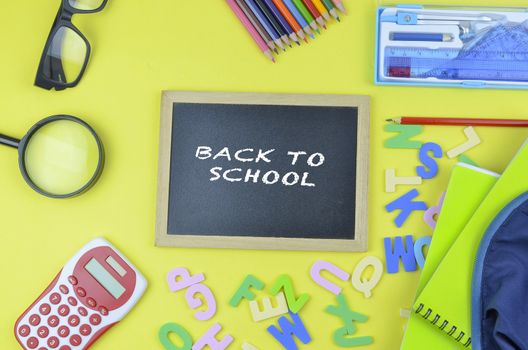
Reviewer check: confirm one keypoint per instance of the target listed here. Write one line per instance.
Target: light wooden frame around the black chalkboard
(359, 243)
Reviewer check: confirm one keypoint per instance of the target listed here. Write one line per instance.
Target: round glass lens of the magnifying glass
(61, 157)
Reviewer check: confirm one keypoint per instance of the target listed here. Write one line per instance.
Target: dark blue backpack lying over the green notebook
(500, 282)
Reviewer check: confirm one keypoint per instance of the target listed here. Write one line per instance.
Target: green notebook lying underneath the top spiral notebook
(468, 186)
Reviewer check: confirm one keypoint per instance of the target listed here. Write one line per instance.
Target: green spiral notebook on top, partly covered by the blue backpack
(446, 299)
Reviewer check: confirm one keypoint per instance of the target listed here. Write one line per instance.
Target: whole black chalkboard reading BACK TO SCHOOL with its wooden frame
(258, 169)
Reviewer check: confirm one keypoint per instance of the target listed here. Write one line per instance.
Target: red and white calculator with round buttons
(92, 293)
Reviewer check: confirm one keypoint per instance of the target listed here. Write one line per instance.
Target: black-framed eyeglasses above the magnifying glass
(67, 50)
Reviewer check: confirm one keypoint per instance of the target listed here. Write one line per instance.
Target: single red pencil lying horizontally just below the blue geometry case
(459, 121)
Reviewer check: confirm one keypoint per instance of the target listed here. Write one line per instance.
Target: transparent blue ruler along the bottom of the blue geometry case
(450, 64)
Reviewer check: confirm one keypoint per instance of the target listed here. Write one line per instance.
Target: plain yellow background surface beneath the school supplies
(141, 47)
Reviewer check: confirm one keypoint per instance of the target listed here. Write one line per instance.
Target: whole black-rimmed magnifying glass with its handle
(60, 157)
